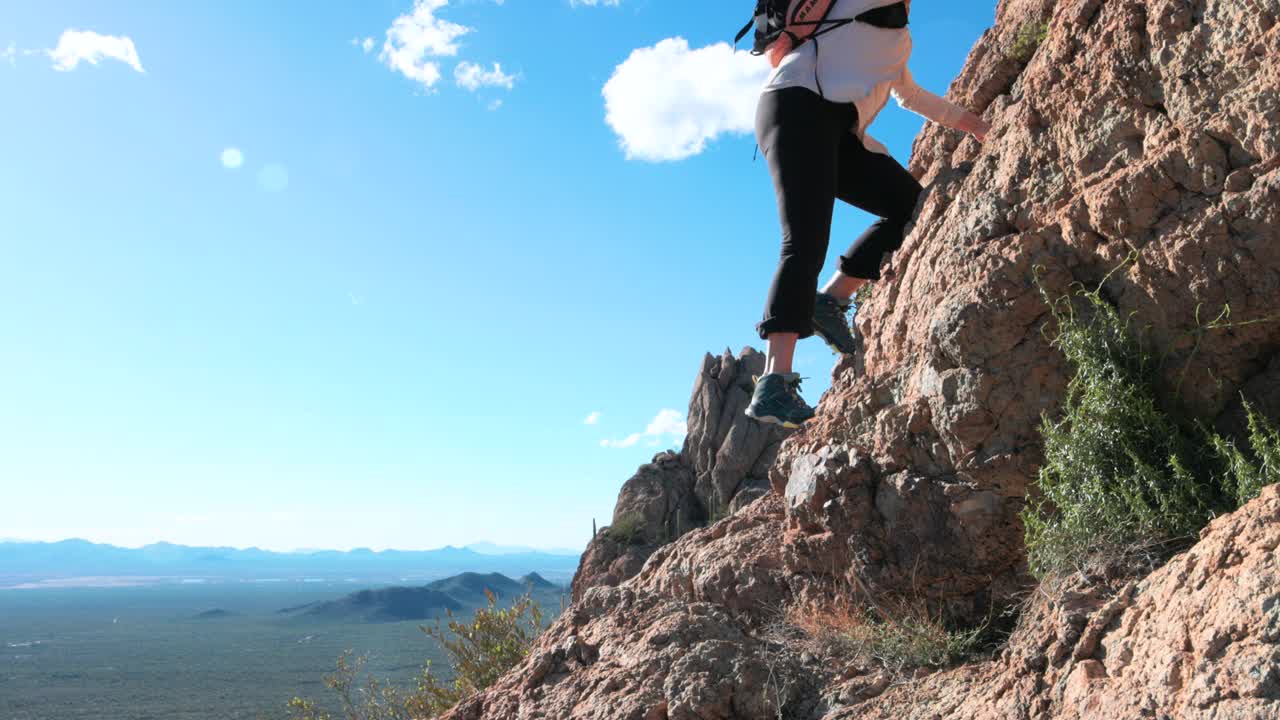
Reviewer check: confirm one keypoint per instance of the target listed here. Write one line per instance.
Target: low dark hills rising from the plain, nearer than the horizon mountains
(456, 594)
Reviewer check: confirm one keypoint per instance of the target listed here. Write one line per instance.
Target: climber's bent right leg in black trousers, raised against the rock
(881, 186)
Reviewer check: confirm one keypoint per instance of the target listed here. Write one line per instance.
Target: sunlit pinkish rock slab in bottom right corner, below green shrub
(1197, 639)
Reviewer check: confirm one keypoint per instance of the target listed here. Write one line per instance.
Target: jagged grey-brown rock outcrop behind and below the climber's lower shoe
(723, 467)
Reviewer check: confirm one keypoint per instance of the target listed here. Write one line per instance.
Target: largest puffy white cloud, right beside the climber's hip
(668, 102)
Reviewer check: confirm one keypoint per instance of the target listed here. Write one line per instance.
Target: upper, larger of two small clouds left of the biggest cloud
(417, 39)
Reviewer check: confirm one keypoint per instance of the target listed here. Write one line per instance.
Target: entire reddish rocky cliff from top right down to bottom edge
(1136, 149)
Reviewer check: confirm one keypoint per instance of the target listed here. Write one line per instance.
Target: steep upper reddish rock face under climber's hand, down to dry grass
(1148, 129)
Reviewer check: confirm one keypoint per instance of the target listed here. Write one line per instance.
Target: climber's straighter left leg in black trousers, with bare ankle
(801, 135)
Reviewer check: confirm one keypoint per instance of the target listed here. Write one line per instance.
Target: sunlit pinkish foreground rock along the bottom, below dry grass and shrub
(1200, 639)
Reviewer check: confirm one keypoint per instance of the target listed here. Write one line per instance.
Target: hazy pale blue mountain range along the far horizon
(24, 563)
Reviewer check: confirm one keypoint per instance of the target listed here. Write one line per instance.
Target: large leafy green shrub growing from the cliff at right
(1119, 471)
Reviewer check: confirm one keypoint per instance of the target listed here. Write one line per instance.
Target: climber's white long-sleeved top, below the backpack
(863, 65)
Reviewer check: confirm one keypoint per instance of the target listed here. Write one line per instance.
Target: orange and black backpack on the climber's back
(794, 22)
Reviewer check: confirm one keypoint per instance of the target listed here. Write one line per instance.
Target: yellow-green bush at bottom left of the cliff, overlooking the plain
(479, 653)
